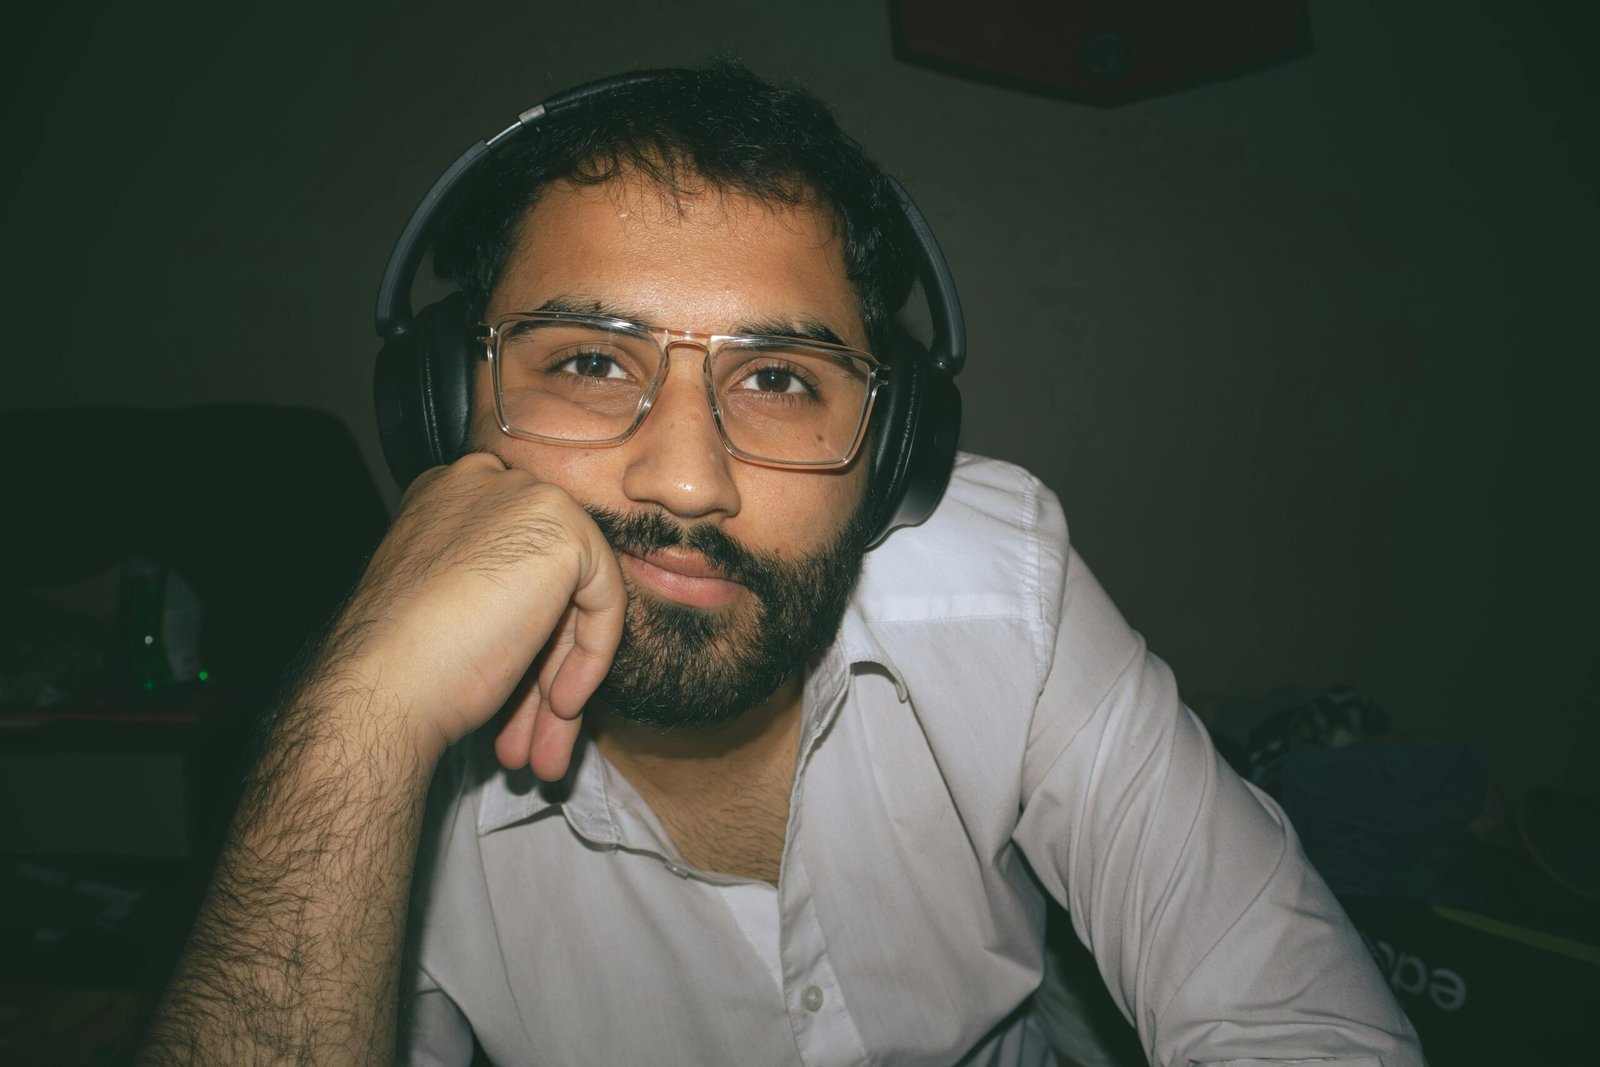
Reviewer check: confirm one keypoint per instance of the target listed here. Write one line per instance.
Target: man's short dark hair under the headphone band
(718, 127)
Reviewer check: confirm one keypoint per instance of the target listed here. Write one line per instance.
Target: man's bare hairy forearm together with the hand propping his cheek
(297, 949)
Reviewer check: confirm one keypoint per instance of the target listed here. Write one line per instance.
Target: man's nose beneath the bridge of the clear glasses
(676, 458)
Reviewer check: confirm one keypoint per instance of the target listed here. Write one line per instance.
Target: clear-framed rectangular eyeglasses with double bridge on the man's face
(590, 382)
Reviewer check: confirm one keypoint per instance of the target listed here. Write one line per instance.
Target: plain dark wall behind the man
(1308, 354)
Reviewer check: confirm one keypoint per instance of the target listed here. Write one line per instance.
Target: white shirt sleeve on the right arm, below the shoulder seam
(1210, 929)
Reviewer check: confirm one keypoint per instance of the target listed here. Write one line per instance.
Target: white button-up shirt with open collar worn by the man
(983, 735)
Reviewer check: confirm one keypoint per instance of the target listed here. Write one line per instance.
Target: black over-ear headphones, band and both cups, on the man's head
(423, 380)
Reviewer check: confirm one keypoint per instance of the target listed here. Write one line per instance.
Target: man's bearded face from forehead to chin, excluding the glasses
(737, 573)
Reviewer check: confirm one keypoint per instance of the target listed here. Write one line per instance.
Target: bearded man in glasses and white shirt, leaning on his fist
(754, 794)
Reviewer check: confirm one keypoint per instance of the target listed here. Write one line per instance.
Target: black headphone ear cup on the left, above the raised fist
(423, 390)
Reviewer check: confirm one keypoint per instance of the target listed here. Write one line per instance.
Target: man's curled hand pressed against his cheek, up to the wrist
(486, 573)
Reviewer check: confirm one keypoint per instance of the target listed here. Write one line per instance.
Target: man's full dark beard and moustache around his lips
(690, 668)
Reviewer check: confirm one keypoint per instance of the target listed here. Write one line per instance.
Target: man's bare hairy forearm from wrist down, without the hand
(295, 953)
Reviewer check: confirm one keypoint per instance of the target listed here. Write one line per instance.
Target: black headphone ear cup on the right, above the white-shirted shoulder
(919, 418)
